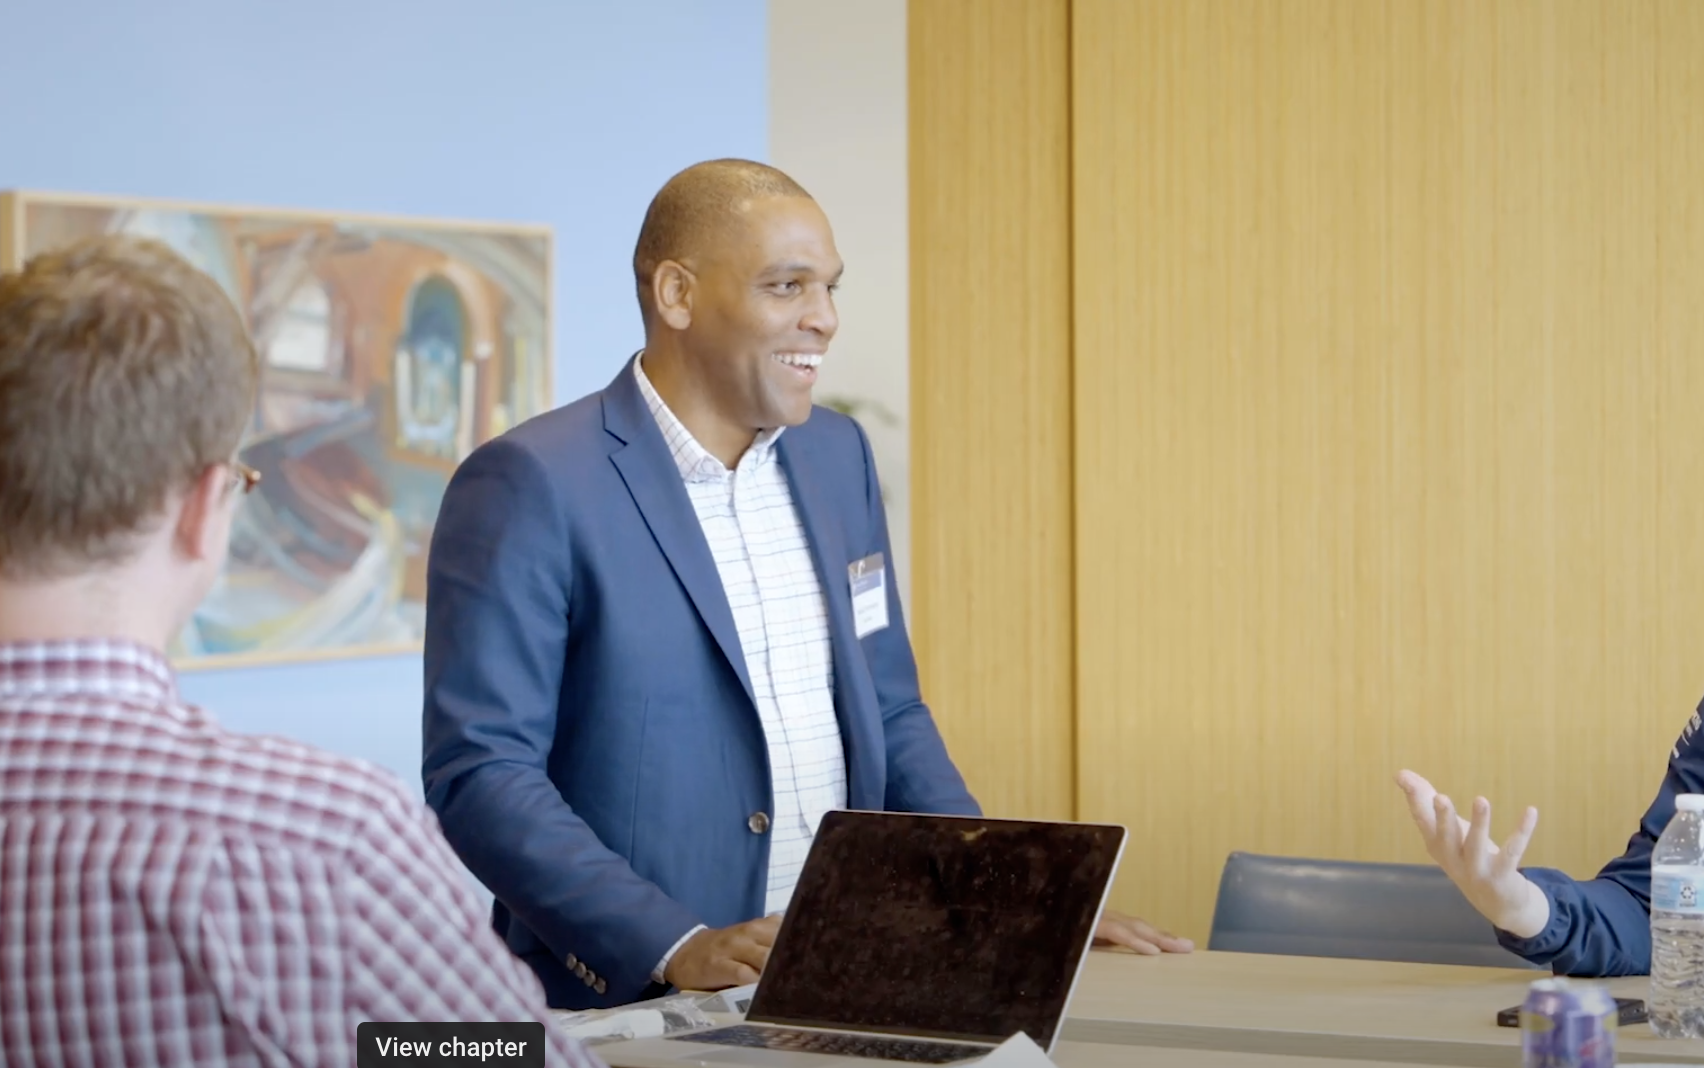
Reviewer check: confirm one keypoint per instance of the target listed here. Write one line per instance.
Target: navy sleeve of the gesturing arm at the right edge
(1604, 927)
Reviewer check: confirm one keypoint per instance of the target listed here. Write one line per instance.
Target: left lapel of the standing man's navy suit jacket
(652, 478)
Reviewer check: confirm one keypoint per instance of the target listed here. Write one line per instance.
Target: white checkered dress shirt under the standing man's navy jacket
(783, 619)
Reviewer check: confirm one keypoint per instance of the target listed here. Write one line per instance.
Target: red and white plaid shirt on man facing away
(178, 895)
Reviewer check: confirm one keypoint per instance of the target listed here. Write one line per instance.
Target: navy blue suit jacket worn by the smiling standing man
(592, 745)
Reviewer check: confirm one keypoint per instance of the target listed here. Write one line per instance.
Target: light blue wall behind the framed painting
(560, 112)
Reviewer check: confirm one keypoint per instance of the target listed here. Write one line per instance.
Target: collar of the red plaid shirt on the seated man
(112, 669)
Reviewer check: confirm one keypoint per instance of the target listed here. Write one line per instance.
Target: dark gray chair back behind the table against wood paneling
(1342, 909)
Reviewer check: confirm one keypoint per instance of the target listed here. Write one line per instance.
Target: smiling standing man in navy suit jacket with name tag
(662, 628)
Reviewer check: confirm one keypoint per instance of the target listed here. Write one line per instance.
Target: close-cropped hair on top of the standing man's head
(698, 207)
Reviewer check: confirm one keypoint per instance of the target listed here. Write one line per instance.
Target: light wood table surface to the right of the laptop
(1318, 1008)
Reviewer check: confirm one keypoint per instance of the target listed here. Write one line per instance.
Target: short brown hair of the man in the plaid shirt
(125, 374)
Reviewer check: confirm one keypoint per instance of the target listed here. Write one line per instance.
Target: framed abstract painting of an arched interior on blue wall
(389, 350)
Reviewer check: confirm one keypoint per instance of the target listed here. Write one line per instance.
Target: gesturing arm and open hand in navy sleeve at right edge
(1597, 927)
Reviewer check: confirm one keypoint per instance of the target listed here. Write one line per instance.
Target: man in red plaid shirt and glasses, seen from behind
(171, 893)
